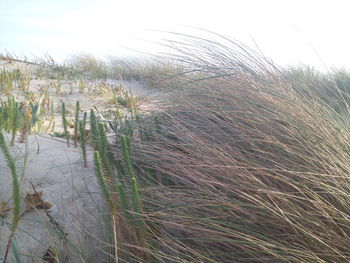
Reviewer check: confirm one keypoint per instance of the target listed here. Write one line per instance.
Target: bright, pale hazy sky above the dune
(289, 32)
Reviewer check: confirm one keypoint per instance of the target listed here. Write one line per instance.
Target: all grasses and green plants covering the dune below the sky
(237, 160)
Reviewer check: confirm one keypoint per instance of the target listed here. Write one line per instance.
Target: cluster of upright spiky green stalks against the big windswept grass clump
(123, 194)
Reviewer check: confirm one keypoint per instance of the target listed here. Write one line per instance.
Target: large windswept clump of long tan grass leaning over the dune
(259, 171)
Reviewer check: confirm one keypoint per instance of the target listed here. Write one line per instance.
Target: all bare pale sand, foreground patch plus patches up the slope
(57, 171)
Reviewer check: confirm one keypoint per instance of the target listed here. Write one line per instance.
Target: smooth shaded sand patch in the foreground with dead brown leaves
(72, 191)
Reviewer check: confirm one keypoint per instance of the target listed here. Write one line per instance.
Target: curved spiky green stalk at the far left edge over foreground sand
(15, 184)
